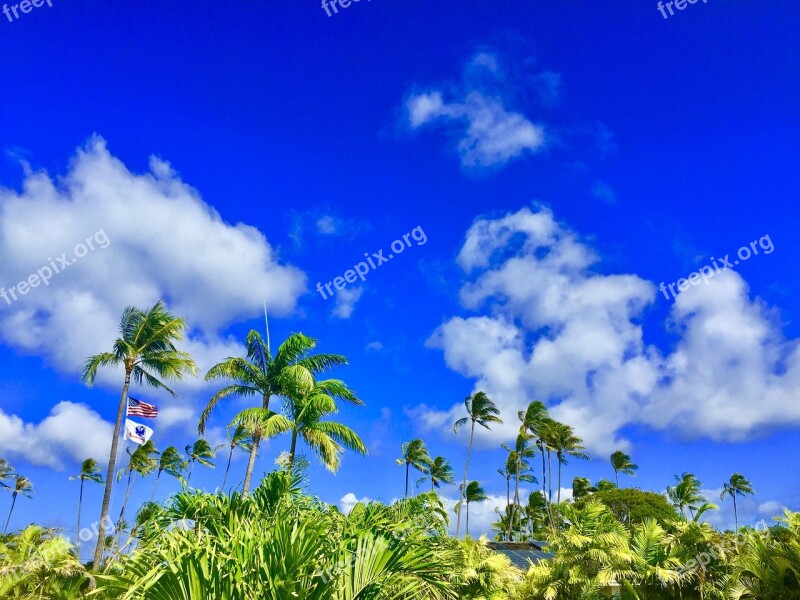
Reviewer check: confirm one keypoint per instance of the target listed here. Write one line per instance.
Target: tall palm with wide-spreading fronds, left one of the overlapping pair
(259, 375)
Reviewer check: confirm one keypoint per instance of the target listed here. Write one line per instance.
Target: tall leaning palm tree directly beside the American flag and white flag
(146, 349)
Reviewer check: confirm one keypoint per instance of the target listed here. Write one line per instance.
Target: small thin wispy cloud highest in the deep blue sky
(489, 132)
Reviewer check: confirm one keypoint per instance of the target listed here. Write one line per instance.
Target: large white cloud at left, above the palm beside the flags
(165, 242)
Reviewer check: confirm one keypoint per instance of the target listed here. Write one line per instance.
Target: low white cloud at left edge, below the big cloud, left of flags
(71, 432)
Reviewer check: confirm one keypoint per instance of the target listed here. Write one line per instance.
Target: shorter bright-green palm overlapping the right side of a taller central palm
(308, 402)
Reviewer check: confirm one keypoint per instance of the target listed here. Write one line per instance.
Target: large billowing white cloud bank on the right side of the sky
(557, 329)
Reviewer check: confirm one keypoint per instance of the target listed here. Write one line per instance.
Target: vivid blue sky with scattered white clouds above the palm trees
(561, 162)
